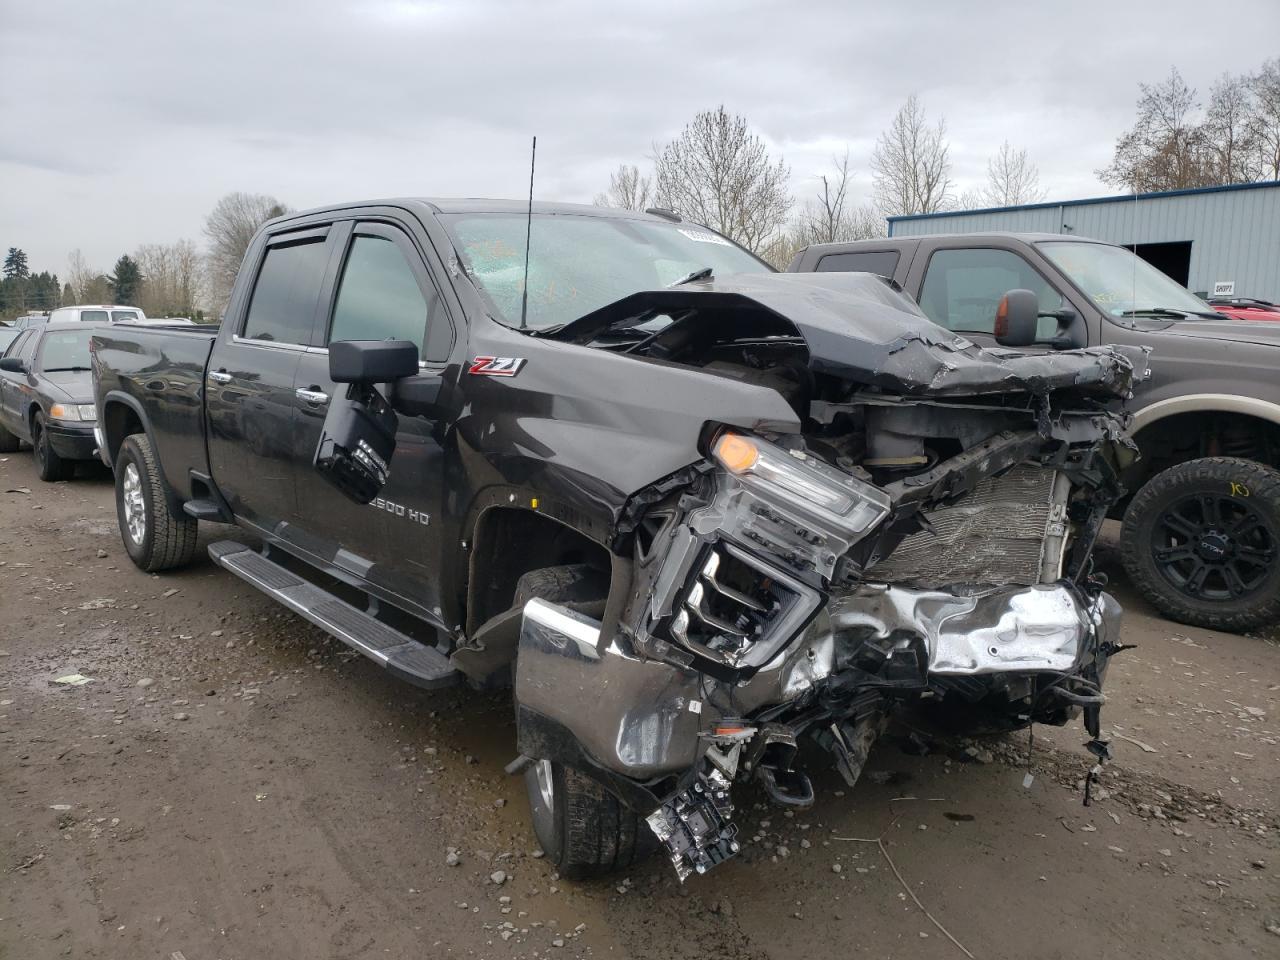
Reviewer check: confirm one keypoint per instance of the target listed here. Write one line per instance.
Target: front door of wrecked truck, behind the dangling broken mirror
(382, 290)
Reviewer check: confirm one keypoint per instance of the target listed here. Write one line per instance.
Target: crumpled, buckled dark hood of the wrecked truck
(860, 328)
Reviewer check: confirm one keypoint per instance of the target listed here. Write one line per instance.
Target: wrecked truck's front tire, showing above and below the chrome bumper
(584, 830)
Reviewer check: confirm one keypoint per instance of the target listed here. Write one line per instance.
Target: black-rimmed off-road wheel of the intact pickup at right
(1201, 542)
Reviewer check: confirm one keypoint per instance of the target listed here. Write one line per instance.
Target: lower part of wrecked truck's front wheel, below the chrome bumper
(584, 830)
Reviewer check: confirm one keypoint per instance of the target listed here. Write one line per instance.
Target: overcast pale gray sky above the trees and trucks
(122, 124)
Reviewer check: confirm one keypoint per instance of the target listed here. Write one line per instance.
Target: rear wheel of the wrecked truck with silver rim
(154, 538)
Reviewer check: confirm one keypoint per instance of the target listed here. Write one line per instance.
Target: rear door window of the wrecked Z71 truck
(285, 298)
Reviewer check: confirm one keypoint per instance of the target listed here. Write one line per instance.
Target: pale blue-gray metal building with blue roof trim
(1220, 241)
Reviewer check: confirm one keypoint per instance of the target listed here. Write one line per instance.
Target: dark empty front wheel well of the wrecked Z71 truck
(510, 543)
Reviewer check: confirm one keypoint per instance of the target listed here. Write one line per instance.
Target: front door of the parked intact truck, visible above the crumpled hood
(961, 286)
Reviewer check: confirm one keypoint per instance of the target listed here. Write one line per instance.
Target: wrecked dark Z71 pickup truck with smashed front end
(693, 510)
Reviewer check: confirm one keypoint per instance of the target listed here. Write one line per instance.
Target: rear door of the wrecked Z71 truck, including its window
(250, 380)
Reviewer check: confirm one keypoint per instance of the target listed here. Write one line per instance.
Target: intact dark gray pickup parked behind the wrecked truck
(1201, 534)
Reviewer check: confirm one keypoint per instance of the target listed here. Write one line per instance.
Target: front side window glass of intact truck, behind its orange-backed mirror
(963, 289)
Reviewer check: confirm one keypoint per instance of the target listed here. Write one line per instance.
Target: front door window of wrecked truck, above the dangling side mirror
(380, 299)
